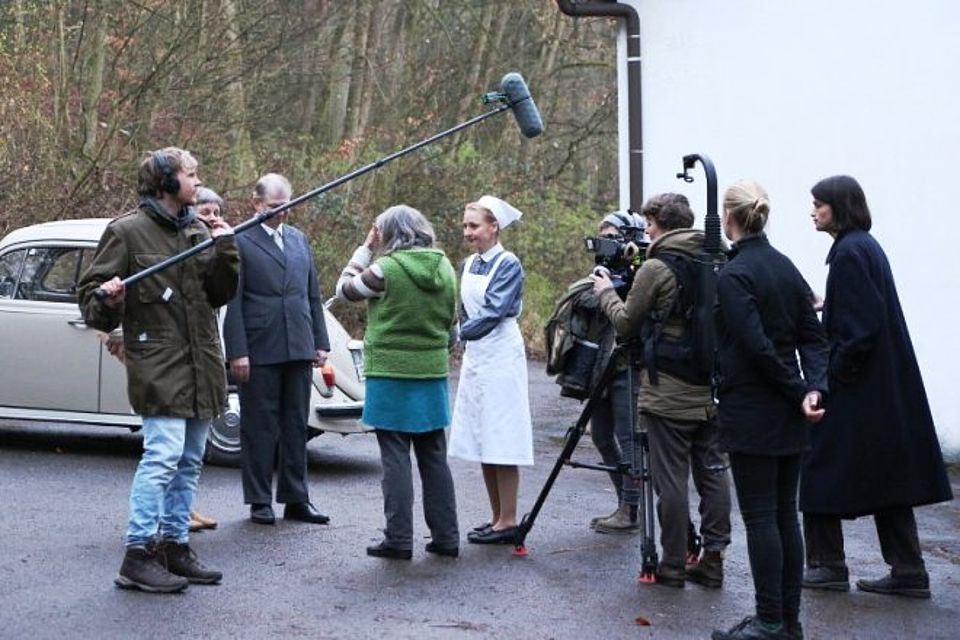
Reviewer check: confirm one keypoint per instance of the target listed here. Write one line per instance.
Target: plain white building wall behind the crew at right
(790, 92)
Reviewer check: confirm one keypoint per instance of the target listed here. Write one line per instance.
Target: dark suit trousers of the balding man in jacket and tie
(274, 406)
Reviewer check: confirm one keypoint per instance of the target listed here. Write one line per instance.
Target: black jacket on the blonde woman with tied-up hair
(764, 318)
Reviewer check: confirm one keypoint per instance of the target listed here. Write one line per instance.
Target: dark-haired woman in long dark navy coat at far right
(877, 451)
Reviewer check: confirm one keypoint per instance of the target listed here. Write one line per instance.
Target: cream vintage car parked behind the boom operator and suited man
(56, 369)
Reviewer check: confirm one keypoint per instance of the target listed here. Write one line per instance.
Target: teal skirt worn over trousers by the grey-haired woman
(409, 405)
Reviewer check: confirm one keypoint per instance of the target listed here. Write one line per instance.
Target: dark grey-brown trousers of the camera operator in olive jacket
(677, 448)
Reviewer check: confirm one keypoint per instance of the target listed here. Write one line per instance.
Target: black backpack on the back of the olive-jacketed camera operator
(689, 357)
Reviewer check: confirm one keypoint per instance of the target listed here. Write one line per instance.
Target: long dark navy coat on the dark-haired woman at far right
(876, 448)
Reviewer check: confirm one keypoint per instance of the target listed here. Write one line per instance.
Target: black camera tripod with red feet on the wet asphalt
(640, 468)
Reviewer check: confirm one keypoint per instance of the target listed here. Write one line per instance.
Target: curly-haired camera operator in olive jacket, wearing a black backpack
(679, 416)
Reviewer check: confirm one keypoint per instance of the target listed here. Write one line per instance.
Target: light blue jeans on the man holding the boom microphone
(166, 479)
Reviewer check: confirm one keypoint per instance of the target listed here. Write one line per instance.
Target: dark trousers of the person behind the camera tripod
(613, 430)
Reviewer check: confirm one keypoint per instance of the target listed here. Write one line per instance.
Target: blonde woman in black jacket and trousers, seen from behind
(765, 318)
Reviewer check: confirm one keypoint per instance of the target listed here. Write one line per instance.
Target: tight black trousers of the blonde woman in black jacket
(767, 492)
